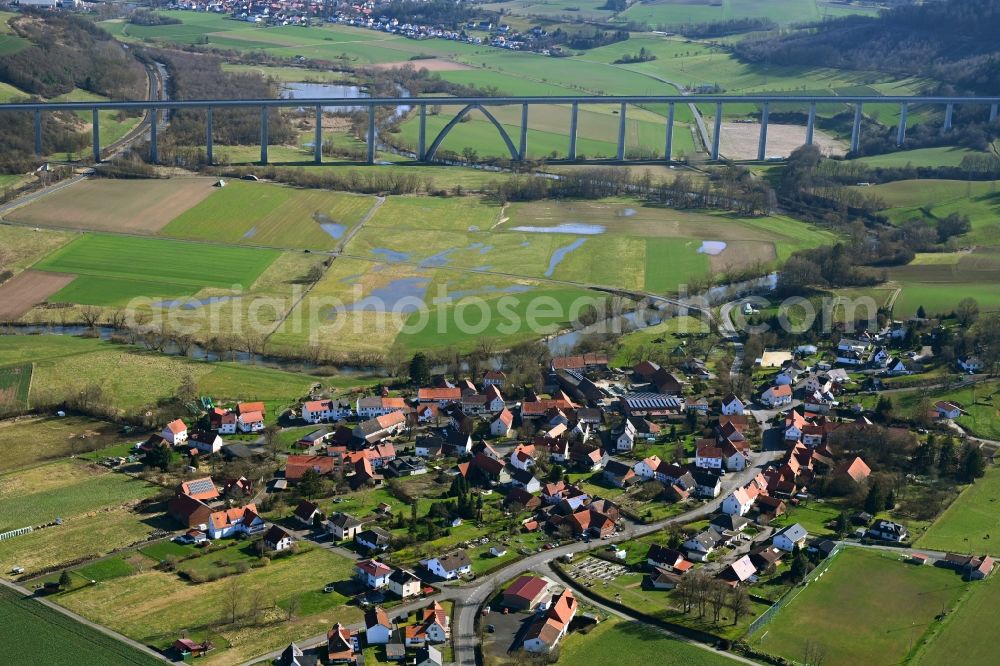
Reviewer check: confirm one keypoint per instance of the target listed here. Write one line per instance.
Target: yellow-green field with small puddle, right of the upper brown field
(249, 213)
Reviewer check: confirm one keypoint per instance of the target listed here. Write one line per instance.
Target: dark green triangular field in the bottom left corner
(34, 633)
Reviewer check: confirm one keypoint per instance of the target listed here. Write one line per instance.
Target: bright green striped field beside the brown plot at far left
(112, 270)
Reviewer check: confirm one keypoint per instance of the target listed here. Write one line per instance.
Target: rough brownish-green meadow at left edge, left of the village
(30, 441)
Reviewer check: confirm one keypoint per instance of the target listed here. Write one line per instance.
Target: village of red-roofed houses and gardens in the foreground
(625, 484)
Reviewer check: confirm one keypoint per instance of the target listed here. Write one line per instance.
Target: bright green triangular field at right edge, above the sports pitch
(968, 522)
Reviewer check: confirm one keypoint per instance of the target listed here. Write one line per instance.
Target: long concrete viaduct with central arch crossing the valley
(518, 152)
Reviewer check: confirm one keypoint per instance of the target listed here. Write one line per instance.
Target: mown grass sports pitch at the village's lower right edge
(858, 623)
